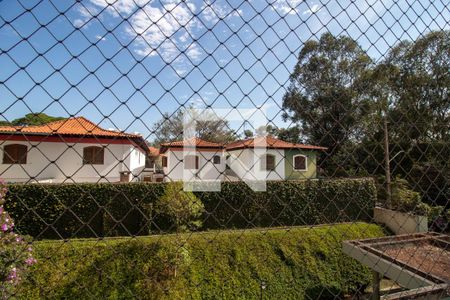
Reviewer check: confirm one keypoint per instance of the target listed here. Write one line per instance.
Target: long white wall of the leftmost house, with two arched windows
(58, 162)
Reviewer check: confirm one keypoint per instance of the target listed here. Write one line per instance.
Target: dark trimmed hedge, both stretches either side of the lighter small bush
(97, 210)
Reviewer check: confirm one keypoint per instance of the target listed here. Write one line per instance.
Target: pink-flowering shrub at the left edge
(15, 253)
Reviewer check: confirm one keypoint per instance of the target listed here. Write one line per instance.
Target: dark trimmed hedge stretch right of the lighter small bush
(288, 203)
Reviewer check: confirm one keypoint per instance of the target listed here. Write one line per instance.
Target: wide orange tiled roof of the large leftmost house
(79, 126)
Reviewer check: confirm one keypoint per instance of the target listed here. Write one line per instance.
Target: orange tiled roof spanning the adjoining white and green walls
(271, 143)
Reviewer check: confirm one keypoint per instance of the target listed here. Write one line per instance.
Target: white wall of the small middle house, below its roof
(207, 169)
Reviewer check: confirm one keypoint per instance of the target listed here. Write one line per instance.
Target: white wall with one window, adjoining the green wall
(246, 164)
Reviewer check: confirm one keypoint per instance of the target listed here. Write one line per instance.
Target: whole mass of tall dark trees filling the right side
(339, 98)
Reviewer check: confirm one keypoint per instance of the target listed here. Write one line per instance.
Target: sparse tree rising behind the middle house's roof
(214, 129)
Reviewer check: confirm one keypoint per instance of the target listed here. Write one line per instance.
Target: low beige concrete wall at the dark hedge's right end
(399, 222)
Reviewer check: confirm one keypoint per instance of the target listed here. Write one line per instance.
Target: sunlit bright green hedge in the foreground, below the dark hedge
(297, 263)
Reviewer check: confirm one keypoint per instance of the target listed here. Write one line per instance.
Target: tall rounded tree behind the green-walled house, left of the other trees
(327, 93)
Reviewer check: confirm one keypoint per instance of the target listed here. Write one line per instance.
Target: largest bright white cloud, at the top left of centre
(162, 28)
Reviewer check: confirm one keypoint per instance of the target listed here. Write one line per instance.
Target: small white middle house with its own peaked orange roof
(192, 159)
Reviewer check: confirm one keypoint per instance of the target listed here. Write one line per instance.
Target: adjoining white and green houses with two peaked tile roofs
(261, 158)
